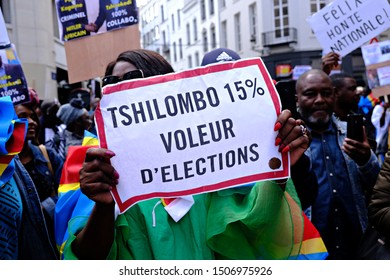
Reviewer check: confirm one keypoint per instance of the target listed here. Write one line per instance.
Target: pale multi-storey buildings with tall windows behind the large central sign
(275, 30)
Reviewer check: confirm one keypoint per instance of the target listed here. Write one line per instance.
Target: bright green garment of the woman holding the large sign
(237, 223)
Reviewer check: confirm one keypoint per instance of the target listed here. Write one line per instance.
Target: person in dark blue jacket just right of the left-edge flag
(42, 164)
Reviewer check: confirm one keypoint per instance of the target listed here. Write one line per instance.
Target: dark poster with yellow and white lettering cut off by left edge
(12, 80)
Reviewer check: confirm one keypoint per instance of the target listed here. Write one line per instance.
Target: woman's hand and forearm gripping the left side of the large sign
(97, 178)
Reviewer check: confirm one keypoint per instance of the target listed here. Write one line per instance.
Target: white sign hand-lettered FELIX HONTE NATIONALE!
(344, 25)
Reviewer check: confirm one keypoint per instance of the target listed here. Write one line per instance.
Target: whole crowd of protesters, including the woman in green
(334, 180)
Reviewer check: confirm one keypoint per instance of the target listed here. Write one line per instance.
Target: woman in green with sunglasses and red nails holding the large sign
(262, 220)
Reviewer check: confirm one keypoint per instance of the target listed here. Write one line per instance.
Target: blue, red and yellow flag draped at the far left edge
(12, 134)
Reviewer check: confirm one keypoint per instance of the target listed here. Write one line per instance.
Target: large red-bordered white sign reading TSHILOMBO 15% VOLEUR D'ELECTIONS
(191, 132)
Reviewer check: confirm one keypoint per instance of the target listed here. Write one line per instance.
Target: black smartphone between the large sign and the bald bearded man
(287, 95)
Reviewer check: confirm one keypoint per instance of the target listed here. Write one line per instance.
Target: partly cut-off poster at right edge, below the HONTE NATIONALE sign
(376, 57)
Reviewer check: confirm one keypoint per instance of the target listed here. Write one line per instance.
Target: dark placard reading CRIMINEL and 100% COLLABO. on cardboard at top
(80, 18)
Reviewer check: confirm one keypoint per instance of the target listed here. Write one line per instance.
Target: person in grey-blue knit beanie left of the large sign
(76, 119)
